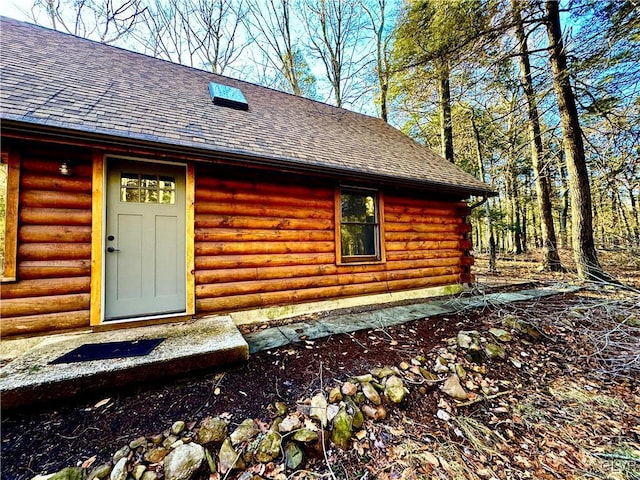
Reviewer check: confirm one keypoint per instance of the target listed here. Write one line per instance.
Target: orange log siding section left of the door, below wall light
(54, 246)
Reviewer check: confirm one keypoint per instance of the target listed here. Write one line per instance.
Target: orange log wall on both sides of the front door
(258, 243)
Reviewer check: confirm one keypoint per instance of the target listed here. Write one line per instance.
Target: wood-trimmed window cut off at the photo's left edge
(9, 178)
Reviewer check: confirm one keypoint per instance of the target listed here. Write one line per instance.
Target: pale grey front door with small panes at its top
(145, 253)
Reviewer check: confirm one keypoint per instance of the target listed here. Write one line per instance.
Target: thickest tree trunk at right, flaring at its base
(584, 249)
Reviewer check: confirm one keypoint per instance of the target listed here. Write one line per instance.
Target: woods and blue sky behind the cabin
(539, 98)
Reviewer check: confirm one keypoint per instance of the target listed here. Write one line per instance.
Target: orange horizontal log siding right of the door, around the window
(264, 244)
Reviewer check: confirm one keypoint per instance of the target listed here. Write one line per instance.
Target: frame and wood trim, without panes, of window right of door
(378, 226)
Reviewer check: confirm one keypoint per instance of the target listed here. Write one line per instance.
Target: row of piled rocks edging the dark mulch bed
(337, 415)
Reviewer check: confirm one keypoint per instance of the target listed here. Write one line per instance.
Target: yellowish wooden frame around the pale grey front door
(98, 240)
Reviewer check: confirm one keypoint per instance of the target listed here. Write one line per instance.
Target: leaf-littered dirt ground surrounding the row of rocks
(563, 402)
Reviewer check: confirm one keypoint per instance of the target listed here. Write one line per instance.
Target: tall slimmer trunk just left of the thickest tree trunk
(550, 257)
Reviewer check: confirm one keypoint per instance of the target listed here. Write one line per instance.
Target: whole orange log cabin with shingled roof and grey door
(137, 190)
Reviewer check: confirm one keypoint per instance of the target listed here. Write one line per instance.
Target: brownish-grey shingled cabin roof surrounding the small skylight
(65, 83)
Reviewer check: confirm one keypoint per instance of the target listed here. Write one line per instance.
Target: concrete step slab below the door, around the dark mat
(29, 378)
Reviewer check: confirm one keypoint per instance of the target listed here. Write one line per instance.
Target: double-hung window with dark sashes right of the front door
(358, 217)
